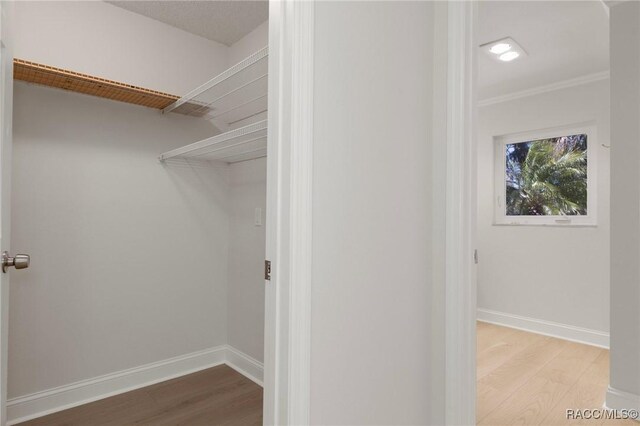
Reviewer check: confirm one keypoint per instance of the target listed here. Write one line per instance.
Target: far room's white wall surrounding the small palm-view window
(558, 274)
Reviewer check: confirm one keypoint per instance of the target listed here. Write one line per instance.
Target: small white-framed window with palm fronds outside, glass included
(546, 177)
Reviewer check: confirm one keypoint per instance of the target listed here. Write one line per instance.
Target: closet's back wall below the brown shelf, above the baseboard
(129, 256)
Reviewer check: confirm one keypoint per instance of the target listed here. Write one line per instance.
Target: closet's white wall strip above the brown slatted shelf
(100, 39)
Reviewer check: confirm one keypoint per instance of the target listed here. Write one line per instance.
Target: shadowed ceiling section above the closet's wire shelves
(223, 21)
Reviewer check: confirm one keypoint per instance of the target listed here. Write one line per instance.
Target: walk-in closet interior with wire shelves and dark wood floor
(139, 190)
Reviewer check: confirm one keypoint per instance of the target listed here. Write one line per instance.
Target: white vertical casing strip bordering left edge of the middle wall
(301, 214)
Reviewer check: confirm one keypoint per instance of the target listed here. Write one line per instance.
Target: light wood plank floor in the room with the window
(530, 379)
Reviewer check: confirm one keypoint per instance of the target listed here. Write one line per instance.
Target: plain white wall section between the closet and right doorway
(371, 293)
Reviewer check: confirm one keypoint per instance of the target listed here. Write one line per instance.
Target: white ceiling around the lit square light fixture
(563, 40)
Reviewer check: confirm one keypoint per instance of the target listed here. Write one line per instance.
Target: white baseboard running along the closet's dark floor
(39, 404)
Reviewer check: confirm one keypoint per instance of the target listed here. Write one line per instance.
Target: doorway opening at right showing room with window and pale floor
(542, 141)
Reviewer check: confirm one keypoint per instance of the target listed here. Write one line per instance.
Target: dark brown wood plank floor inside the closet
(216, 396)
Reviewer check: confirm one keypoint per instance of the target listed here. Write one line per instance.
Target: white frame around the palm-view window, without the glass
(500, 184)
